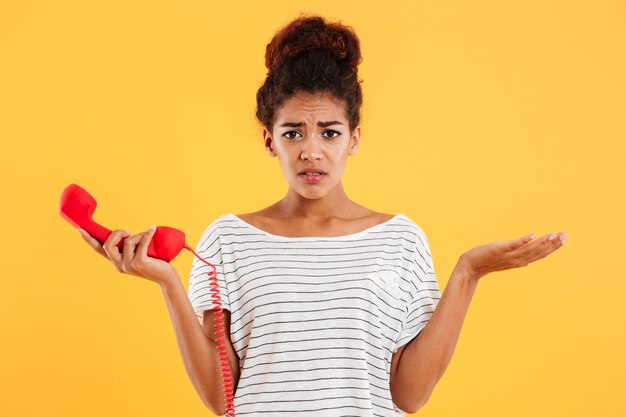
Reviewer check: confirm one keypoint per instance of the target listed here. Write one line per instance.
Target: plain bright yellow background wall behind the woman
(482, 121)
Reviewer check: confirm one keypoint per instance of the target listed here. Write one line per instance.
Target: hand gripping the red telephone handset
(133, 259)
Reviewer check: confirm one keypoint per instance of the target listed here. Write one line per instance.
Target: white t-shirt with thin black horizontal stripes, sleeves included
(315, 320)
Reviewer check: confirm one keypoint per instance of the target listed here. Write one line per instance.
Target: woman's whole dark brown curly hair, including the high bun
(311, 55)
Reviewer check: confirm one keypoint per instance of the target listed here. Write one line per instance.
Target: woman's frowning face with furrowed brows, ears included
(311, 131)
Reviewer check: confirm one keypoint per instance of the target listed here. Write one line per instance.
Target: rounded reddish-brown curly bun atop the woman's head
(313, 32)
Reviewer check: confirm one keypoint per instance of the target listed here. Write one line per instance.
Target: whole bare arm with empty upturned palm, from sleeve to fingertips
(417, 366)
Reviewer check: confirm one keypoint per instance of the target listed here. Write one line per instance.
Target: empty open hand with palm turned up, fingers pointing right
(508, 254)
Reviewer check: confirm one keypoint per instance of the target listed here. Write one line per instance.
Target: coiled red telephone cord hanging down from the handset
(227, 378)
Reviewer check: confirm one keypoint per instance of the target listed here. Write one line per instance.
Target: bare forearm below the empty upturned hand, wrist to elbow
(426, 357)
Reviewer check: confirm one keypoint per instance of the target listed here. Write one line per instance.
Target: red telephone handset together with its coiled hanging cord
(77, 207)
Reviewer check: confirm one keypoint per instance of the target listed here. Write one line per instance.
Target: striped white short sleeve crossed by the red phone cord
(199, 292)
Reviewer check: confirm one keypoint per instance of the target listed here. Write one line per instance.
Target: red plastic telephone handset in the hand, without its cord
(77, 207)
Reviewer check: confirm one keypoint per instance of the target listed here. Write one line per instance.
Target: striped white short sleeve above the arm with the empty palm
(423, 291)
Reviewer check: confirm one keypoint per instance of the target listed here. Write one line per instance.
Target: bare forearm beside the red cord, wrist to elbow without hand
(199, 352)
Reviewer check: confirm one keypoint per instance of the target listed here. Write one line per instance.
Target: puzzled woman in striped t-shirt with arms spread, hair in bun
(324, 298)
